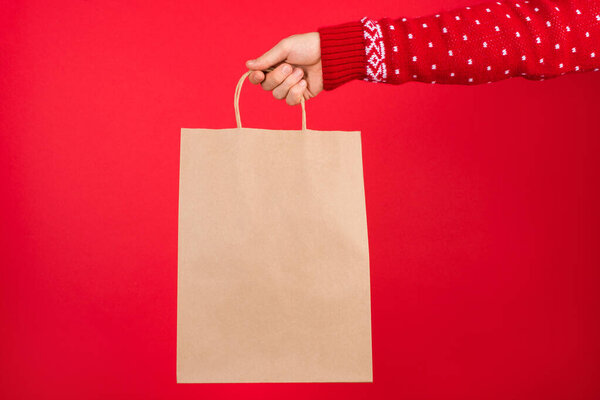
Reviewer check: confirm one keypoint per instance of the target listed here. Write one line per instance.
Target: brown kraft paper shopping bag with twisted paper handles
(273, 259)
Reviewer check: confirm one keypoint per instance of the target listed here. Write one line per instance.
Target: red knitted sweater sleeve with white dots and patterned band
(536, 39)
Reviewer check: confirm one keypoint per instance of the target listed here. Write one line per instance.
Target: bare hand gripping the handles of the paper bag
(294, 58)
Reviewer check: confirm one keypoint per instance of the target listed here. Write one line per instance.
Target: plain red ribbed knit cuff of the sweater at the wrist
(342, 54)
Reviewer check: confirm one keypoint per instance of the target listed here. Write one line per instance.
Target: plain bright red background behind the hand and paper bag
(482, 205)
